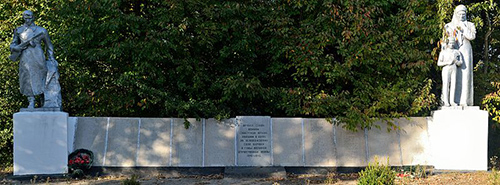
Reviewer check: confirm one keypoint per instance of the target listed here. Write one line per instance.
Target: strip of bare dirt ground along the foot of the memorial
(348, 179)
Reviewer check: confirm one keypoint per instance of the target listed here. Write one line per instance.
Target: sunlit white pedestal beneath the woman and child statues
(459, 139)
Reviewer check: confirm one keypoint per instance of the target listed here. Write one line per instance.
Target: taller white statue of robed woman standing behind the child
(463, 31)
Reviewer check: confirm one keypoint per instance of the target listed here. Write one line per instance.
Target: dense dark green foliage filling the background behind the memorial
(355, 61)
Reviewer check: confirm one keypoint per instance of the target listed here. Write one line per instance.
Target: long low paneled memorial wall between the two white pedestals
(246, 141)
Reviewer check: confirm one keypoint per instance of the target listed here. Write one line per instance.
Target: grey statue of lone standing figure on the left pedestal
(36, 74)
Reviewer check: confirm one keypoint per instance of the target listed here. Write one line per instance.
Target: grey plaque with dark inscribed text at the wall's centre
(254, 141)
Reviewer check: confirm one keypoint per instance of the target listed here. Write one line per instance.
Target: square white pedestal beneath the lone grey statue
(40, 143)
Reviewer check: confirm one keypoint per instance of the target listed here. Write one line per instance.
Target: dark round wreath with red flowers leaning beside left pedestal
(80, 161)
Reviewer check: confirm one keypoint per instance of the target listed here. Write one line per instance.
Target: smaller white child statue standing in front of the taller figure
(449, 58)
